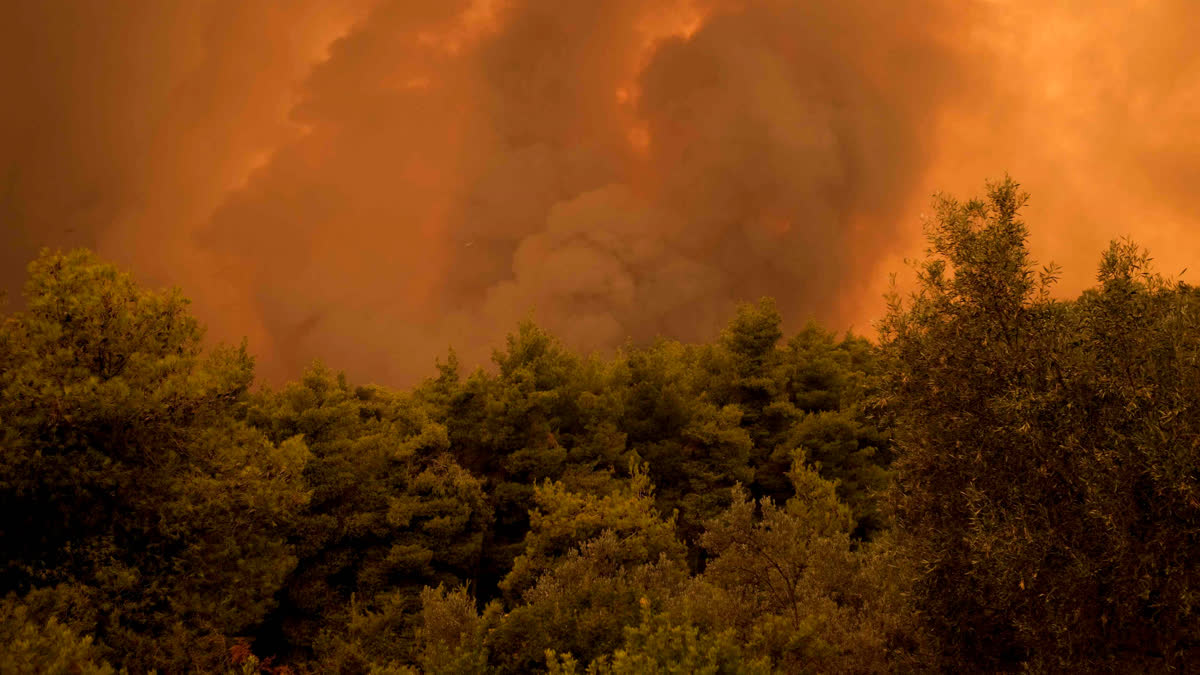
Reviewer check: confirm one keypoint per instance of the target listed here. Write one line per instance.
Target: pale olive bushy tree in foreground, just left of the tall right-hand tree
(790, 586)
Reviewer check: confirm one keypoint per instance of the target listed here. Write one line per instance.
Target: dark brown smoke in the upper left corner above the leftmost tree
(125, 124)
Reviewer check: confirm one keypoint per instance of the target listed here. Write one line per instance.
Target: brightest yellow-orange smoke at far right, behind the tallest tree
(1093, 107)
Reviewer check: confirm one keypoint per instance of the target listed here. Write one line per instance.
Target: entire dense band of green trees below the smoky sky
(1006, 481)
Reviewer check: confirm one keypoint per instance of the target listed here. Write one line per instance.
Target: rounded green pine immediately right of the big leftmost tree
(391, 513)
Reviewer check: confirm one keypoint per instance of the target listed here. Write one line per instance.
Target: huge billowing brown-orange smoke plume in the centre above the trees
(565, 160)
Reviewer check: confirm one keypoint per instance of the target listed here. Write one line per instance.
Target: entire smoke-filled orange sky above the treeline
(373, 182)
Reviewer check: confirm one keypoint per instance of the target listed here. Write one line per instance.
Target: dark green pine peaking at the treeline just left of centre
(548, 415)
